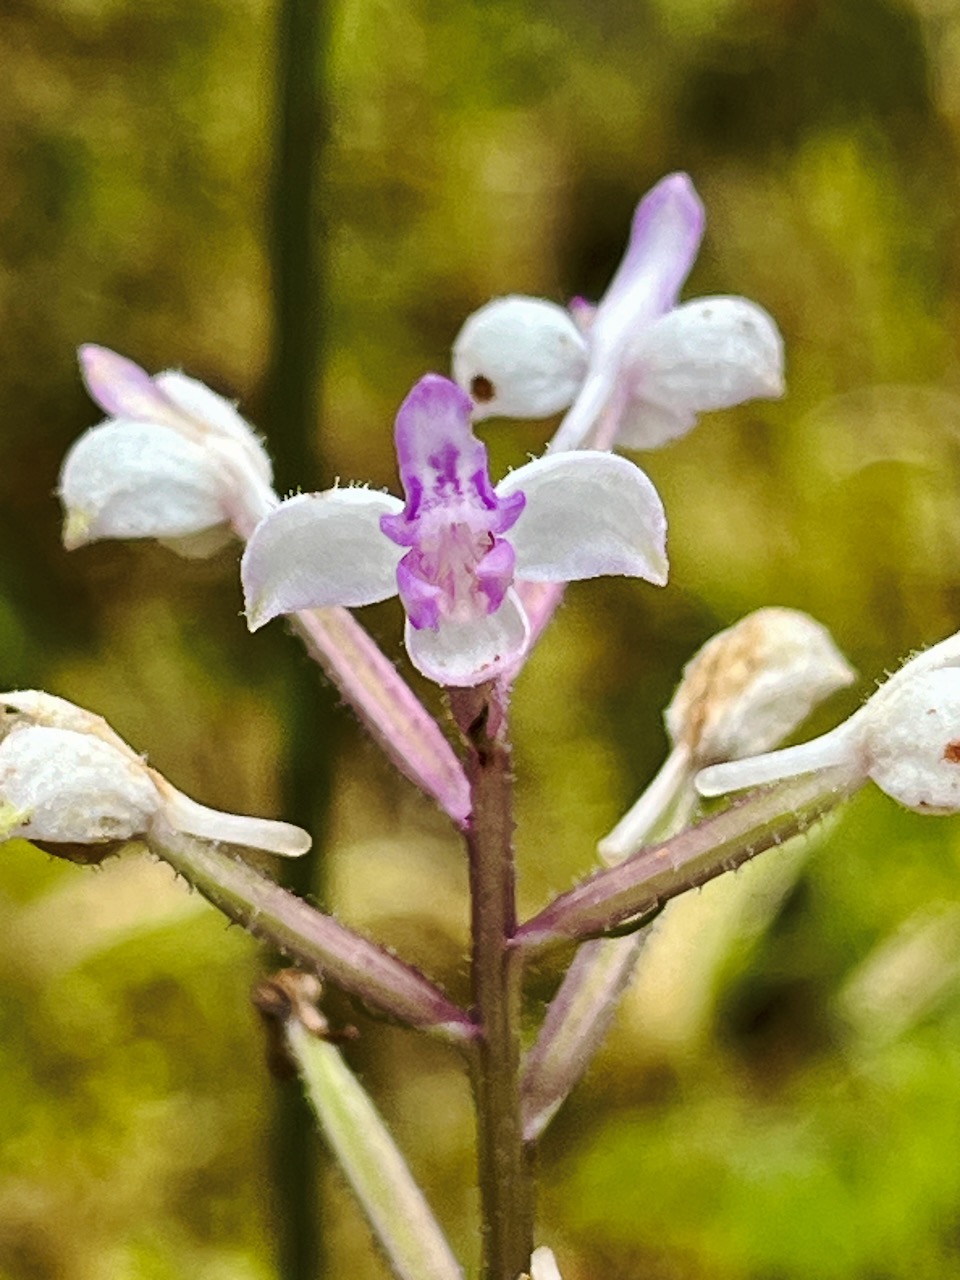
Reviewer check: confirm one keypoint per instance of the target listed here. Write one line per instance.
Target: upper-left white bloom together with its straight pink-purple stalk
(177, 463)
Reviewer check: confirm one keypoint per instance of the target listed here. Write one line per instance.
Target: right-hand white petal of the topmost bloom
(705, 355)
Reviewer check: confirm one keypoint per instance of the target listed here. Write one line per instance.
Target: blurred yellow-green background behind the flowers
(781, 1098)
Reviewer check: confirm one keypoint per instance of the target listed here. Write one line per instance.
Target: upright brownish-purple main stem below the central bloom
(506, 1191)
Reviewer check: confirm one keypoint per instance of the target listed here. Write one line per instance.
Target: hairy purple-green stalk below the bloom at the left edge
(322, 944)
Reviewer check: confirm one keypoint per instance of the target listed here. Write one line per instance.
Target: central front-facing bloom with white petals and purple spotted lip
(458, 545)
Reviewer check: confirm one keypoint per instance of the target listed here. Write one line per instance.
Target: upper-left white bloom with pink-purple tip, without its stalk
(173, 460)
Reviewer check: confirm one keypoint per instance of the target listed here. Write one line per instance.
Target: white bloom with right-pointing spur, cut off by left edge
(68, 779)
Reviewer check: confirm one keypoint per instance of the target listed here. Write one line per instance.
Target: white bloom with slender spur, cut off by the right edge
(906, 739)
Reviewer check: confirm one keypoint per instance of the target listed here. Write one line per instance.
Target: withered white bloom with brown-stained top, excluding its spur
(751, 687)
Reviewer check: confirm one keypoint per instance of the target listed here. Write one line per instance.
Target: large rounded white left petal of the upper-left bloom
(127, 479)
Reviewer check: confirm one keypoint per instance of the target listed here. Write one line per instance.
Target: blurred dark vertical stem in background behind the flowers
(292, 415)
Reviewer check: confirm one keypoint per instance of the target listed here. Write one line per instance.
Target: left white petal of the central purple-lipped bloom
(321, 550)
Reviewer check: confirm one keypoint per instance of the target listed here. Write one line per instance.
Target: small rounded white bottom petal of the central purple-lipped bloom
(468, 653)
